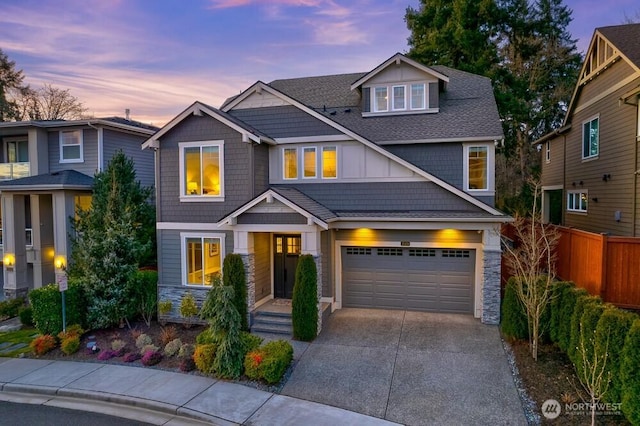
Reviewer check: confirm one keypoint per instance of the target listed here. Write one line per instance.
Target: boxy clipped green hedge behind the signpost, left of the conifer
(47, 307)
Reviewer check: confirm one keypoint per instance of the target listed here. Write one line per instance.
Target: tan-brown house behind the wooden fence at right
(590, 165)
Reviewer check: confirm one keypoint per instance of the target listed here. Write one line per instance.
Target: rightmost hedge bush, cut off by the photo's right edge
(630, 374)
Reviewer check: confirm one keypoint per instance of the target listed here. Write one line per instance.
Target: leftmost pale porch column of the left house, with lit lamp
(15, 245)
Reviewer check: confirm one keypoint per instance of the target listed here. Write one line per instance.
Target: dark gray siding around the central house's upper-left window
(237, 171)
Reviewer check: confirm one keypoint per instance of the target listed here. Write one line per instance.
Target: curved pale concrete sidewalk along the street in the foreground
(184, 395)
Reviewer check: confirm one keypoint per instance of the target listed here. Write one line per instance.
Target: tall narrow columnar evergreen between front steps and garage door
(304, 312)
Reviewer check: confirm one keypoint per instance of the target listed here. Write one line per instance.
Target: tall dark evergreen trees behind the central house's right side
(532, 60)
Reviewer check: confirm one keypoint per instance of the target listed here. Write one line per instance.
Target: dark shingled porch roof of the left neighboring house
(65, 179)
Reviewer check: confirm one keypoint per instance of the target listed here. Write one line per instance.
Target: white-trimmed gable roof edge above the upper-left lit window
(199, 108)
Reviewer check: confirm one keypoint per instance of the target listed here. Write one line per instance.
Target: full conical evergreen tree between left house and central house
(109, 242)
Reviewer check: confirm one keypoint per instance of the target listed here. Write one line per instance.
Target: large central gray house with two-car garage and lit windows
(386, 177)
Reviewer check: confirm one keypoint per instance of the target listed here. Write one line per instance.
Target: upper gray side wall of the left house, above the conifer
(130, 145)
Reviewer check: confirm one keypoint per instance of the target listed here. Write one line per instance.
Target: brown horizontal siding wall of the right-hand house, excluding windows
(617, 139)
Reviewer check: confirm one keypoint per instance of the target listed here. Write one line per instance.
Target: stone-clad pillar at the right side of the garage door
(492, 261)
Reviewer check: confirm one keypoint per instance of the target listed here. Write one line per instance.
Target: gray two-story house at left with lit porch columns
(46, 173)
